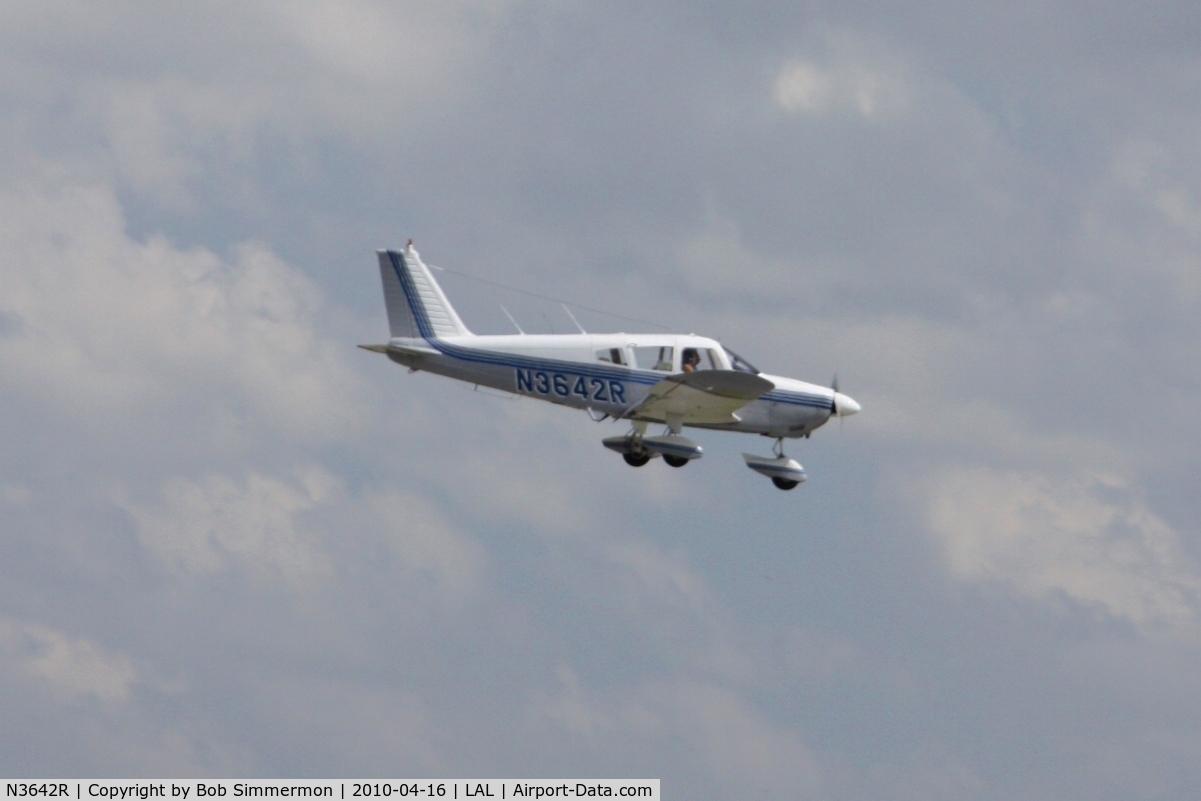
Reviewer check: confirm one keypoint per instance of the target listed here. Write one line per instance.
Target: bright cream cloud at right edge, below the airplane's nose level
(1085, 540)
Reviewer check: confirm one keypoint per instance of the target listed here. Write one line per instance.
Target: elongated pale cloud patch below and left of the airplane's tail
(277, 530)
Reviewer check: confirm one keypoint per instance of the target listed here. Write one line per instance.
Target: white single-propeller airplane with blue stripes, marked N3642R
(672, 380)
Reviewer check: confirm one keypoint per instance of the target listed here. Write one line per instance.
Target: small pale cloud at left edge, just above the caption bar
(74, 668)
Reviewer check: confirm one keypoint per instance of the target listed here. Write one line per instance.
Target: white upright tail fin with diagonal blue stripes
(417, 307)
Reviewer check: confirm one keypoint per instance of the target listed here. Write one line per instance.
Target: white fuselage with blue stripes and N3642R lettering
(611, 374)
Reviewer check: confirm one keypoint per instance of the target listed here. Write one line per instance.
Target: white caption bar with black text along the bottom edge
(340, 790)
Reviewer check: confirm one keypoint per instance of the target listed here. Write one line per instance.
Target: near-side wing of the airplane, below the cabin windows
(703, 397)
